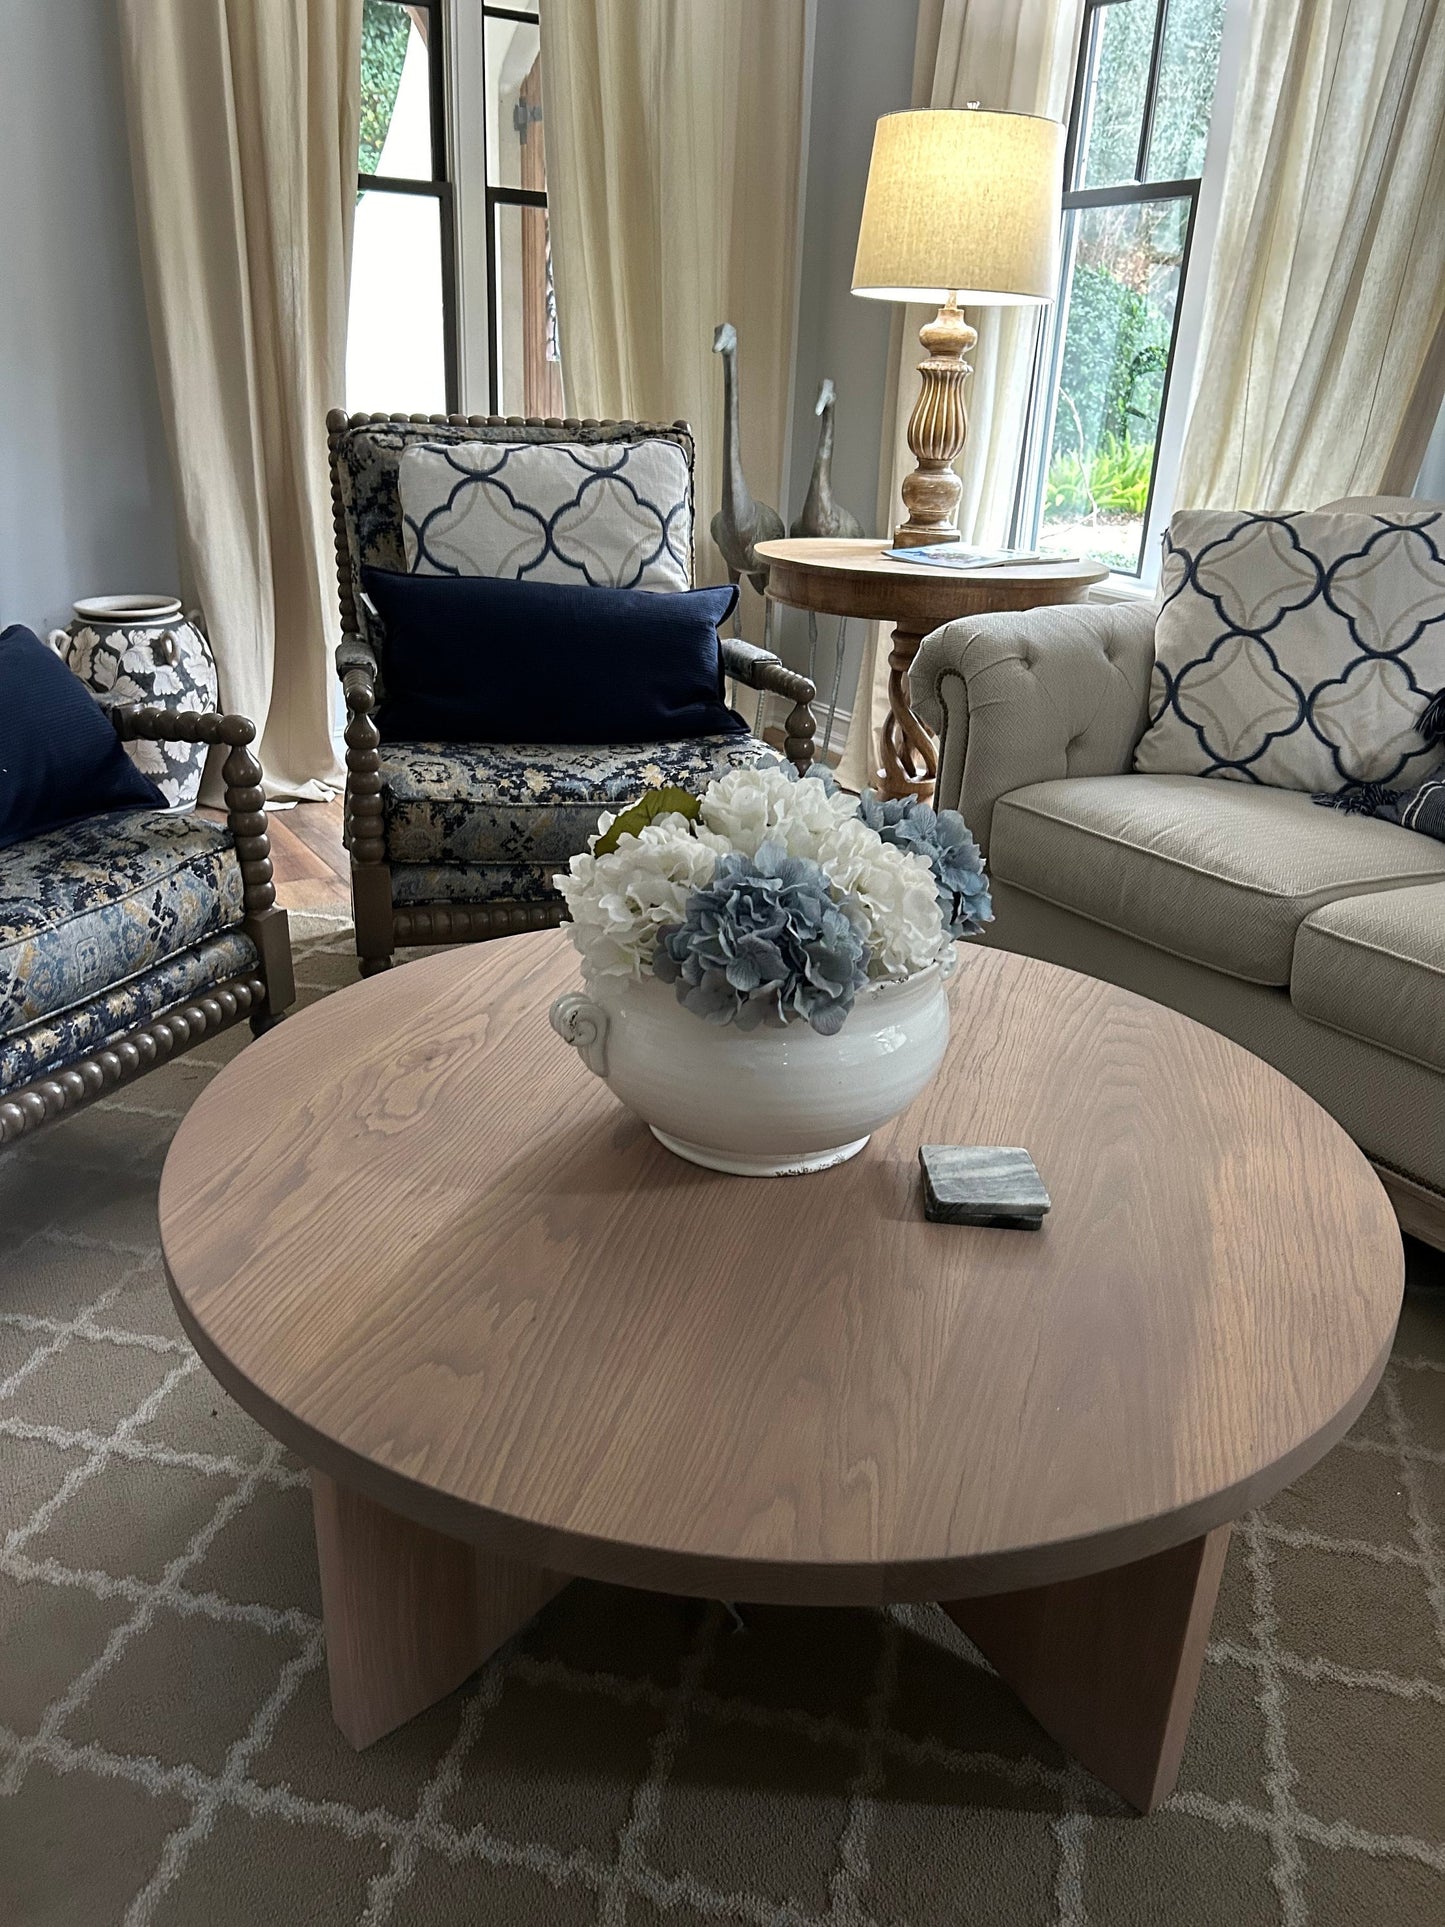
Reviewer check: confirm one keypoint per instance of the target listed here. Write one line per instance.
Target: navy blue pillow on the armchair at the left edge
(61, 758)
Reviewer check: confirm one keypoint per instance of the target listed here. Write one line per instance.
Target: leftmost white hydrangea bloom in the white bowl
(621, 901)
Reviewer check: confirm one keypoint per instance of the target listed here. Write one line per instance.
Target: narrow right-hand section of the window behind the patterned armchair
(525, 373)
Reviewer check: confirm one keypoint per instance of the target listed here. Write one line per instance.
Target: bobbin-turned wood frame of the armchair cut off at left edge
(261, 995)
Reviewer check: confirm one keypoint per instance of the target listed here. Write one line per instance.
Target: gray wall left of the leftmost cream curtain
(86, 500)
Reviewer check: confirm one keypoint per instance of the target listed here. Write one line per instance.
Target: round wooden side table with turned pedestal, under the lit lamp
(854, 577)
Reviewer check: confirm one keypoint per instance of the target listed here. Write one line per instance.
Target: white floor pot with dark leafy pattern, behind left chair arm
(144, 650)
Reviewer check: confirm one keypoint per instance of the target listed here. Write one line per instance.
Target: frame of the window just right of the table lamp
(1043, 406)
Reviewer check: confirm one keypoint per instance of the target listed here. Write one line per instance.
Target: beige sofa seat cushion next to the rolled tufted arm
(1221, 874)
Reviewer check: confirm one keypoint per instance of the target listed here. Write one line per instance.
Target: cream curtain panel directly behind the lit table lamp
(1003, 55)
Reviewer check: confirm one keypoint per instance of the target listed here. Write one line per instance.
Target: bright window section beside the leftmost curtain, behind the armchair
(402, 325)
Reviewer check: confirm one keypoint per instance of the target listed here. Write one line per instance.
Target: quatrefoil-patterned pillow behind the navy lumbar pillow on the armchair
(604, 515)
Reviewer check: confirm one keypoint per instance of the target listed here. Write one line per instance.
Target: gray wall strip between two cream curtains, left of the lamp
(862, 68)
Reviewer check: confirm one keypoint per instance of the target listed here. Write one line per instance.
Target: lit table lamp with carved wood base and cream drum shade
(962, 209)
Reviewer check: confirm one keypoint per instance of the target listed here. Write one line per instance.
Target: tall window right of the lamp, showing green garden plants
(1140, 132)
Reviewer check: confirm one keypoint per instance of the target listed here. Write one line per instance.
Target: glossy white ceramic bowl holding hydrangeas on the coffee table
(760, 1103)
